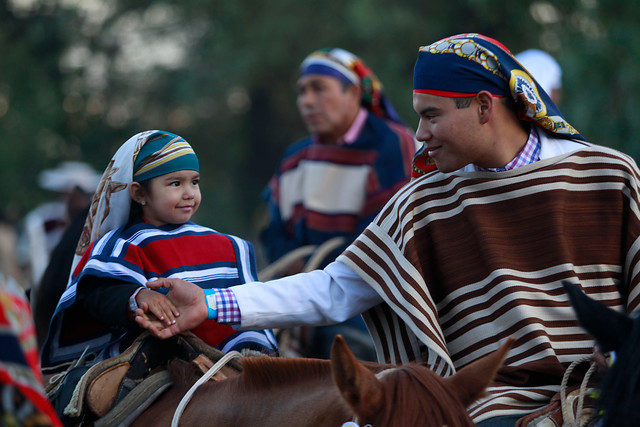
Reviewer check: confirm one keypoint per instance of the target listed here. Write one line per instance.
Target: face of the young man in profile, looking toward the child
(451, 135)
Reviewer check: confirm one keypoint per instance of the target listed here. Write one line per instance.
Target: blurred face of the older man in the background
(327, 109)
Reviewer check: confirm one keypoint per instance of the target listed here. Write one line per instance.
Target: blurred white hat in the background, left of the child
(69, 175)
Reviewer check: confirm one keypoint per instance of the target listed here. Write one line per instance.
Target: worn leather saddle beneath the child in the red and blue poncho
(117, 390)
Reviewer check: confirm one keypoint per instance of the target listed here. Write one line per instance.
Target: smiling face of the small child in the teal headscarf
(172, 198)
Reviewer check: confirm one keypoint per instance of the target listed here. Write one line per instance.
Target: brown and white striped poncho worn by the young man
(465, 260)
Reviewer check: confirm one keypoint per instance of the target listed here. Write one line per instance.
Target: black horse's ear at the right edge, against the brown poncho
(609, 327)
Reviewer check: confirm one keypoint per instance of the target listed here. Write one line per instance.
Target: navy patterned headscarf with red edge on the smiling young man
(463, 65)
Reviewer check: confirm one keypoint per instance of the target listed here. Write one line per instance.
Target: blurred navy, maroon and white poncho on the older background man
(321, 191)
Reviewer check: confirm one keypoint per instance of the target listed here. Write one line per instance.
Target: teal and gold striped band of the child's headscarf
(163, 153)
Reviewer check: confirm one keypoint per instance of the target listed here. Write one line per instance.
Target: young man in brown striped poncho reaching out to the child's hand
(464, 257)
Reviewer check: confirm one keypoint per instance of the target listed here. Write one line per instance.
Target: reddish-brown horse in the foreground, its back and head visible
(313, 392)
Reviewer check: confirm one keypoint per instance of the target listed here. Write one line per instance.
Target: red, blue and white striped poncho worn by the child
(141, 253)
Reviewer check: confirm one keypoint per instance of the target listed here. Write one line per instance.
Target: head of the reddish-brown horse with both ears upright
(411, 394)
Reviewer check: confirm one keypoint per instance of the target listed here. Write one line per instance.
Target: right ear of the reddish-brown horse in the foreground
(470, 382)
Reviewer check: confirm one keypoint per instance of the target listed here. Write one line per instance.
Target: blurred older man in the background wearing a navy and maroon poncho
(332, 183)
